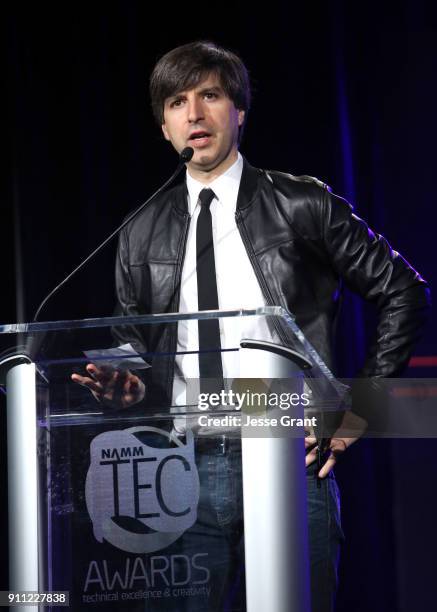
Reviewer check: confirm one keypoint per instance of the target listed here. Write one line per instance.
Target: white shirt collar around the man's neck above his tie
(225, 186)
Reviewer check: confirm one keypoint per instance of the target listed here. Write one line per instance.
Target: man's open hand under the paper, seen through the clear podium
(115, 388)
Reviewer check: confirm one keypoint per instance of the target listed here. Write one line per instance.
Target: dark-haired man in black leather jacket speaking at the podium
(277, 239)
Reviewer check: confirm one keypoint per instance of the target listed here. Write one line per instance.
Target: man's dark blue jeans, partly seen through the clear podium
(219, 532)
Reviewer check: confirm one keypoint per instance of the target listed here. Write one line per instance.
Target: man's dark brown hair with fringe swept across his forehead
(186, 66)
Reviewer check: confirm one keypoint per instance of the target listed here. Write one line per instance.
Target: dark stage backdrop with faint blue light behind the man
(343, 91)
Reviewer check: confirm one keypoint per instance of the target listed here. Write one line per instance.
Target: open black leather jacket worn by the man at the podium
(303, 242)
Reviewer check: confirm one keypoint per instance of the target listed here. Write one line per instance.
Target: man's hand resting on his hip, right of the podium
(350, 430)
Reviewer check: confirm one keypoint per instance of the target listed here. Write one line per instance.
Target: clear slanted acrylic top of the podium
(163, 350)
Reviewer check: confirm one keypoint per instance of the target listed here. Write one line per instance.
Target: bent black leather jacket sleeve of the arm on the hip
(371, 268)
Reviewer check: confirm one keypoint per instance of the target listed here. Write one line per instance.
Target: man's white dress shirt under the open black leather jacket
(237, 286)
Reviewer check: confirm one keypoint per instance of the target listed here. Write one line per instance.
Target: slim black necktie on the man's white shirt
(210, 361)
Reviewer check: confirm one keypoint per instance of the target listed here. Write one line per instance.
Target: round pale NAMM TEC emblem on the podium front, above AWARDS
(141, 498)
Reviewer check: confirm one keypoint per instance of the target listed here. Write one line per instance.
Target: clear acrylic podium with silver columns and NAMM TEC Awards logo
(112, 504)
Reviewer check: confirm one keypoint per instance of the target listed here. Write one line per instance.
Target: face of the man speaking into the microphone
(205, 119)
